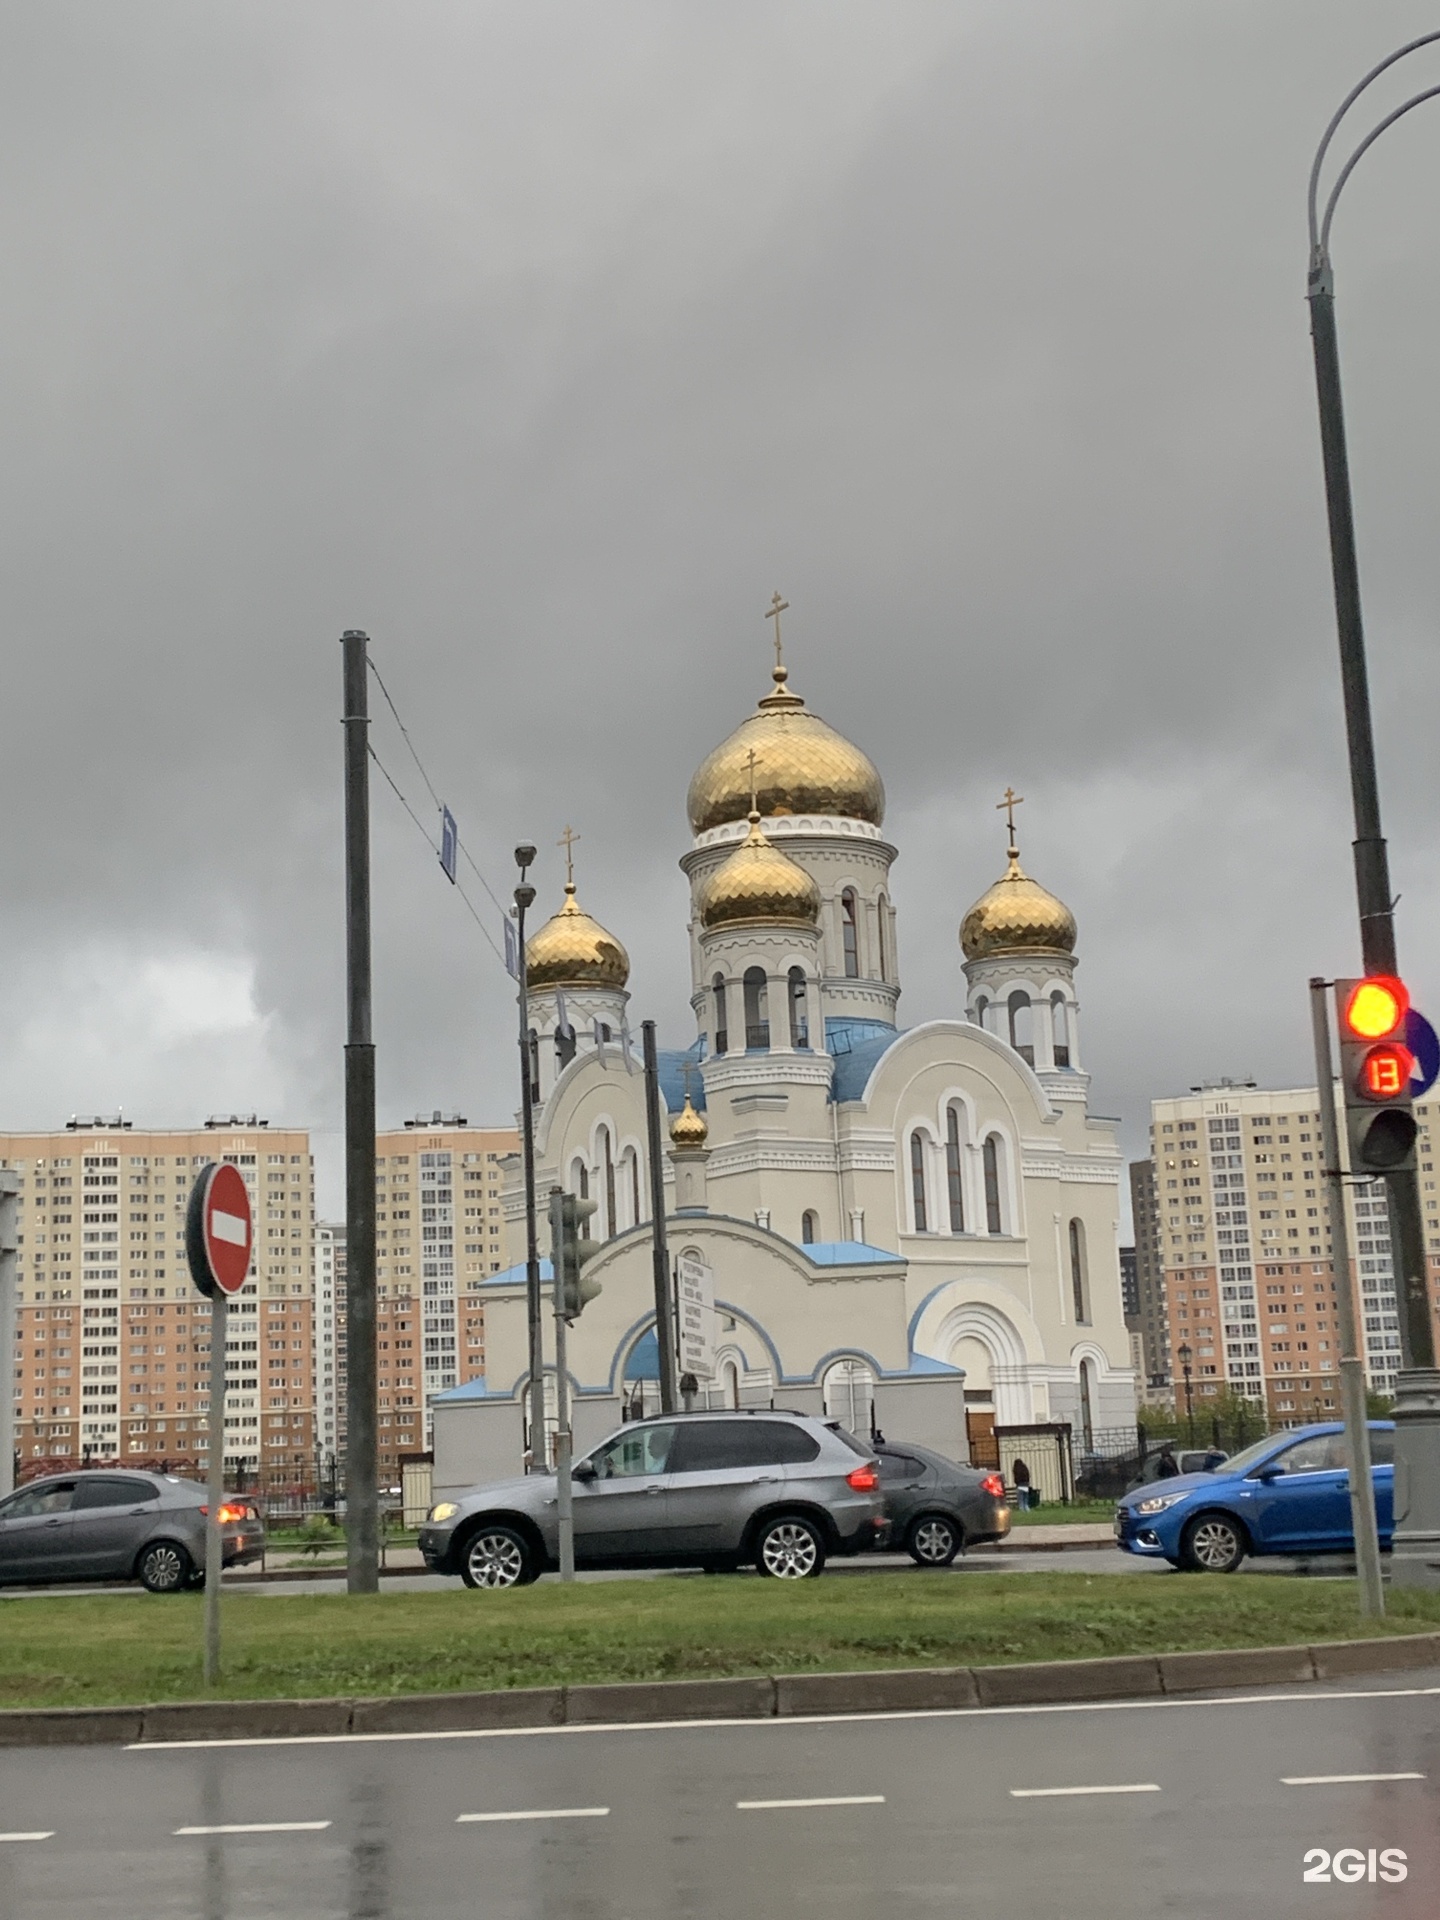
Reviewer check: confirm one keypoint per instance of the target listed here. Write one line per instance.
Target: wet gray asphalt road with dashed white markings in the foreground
(1182, 1810)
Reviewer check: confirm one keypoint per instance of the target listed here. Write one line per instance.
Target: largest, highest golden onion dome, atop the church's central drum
(802, 767)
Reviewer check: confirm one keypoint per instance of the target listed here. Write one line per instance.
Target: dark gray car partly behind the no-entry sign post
(120, 1525)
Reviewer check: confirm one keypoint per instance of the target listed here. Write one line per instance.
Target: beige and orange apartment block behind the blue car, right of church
(1236, 1262)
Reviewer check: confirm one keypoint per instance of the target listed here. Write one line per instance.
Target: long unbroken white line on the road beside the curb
(786, 1719)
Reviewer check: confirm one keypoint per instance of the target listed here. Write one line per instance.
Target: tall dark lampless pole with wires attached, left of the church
(362, 1477)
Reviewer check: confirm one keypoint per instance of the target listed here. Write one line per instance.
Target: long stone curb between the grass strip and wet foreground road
(748, 1698)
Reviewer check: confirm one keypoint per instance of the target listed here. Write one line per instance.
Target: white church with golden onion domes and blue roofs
(911, 1230)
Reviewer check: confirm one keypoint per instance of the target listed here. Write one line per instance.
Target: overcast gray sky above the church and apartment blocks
(548, 341)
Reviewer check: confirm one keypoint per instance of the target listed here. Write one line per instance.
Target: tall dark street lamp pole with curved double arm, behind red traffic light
(1416, 1558)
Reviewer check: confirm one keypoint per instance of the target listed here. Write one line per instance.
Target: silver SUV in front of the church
(777, 1491)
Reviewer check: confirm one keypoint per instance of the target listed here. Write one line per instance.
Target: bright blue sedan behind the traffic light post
(1287, 1495)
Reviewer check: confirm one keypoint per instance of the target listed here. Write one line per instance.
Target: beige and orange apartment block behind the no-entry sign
(112, 1337)
